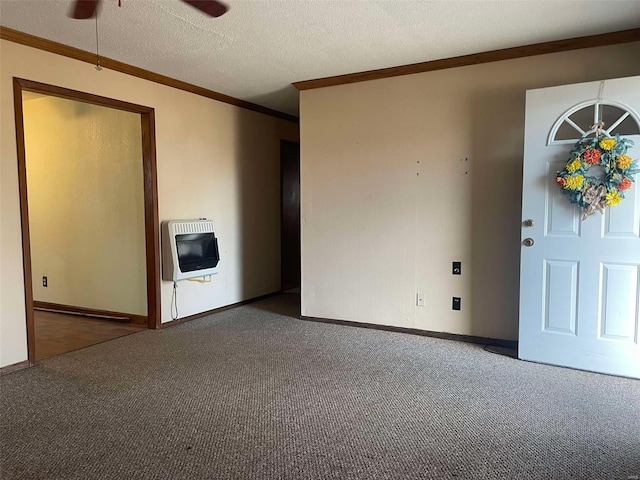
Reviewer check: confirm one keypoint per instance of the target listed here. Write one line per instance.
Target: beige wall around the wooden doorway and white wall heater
(214, 160)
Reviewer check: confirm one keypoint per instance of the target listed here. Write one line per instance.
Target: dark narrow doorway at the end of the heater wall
(290, 226)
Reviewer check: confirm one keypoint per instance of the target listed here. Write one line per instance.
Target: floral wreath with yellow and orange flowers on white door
(590, 193)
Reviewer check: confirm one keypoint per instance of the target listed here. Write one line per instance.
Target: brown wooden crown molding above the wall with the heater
(84, 56)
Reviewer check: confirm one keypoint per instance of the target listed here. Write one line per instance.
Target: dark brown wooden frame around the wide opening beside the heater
(152, 225)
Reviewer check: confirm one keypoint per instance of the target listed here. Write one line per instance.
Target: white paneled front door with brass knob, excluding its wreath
(580, 280)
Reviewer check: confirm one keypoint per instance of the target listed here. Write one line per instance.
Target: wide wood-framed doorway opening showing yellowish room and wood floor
(86, 267)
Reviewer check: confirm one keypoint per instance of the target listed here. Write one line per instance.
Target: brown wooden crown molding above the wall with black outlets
(613, 38)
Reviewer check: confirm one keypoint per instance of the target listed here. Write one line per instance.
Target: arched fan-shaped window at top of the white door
(580, 120)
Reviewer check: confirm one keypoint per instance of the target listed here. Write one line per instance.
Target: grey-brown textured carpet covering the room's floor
(252, 393)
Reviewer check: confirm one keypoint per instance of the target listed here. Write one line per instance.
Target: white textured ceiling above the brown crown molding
(259, 47)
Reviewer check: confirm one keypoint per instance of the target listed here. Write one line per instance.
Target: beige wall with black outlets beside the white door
(402, 176)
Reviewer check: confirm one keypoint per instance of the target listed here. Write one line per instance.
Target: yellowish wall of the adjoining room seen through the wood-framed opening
(86, 204)
